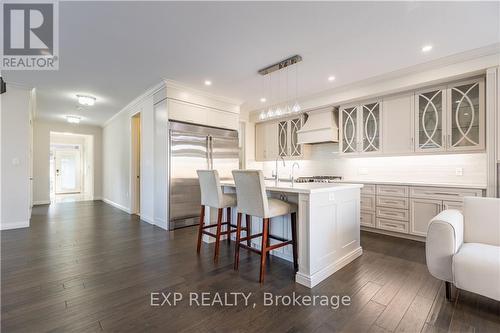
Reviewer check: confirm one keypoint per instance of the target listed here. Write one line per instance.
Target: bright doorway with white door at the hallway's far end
(71, 167)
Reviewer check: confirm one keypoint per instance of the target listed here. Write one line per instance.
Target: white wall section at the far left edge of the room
(15, 158)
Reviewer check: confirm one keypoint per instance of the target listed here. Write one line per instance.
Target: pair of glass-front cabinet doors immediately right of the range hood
(361, 128)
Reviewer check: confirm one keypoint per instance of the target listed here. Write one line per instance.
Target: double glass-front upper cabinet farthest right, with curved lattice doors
(451, 118)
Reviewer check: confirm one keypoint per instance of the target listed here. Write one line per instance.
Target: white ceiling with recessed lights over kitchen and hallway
(117, 50)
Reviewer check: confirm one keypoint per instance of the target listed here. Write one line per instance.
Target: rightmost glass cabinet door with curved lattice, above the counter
(465, 120)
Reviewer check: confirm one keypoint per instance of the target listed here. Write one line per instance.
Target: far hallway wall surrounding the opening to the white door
(41, 151)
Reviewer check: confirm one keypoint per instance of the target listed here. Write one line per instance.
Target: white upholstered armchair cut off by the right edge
(464, 249)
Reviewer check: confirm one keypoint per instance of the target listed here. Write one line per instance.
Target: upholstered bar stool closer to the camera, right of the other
(253, 201)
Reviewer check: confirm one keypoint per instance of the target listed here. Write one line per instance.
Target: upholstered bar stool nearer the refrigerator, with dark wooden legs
(212, 196)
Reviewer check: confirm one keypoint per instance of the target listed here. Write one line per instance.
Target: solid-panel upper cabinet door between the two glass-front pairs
(397, 123)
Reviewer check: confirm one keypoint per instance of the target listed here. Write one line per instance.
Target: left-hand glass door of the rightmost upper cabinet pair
(429, 122)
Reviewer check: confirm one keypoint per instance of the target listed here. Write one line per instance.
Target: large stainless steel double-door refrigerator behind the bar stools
(191, 148)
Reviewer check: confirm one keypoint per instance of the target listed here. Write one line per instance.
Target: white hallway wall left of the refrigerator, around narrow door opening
(117, 147)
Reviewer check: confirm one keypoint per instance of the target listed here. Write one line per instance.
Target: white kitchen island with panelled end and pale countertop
(328, 228)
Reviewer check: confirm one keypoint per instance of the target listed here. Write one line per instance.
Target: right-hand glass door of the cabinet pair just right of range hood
(371, 127)
